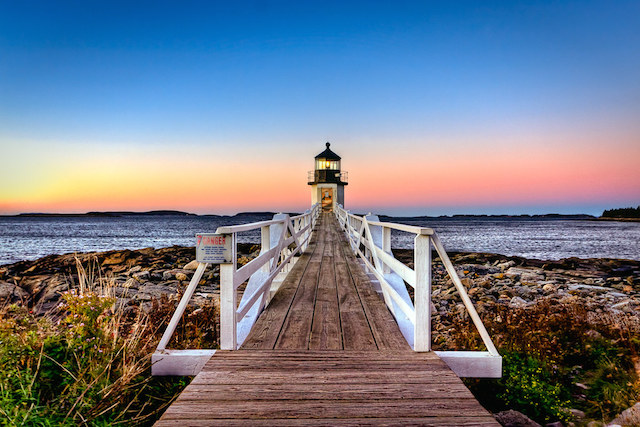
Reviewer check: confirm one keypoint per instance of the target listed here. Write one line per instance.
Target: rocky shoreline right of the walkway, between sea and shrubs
(612, 284)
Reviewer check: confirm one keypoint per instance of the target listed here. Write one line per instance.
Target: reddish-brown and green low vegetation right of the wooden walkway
(557, 357)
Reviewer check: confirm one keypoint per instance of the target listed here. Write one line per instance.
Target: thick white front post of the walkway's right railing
(422, 296)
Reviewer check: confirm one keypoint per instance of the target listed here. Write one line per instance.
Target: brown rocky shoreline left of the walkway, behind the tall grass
(134, 277)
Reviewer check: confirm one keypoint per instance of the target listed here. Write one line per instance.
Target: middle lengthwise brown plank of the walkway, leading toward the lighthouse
(325, 331)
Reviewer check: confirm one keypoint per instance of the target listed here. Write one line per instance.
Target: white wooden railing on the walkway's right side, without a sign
(371, 240)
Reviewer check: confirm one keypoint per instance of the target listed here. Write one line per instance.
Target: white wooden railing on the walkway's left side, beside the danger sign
(282, 238)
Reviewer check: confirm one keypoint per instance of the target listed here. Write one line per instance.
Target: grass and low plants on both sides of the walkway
(88, 362)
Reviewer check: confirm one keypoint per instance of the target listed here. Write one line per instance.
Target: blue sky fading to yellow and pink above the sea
(220, 107)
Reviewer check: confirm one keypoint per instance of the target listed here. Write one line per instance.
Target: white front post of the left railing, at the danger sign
(228, 303)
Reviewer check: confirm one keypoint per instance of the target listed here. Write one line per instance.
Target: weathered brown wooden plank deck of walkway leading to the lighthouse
(326, 351)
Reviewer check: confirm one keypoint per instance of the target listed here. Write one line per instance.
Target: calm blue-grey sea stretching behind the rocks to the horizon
(31, 238)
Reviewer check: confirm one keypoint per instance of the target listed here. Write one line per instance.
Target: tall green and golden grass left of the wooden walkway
(88, 362)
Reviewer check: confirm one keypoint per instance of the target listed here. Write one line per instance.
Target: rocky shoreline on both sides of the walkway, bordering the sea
(138, 276)
